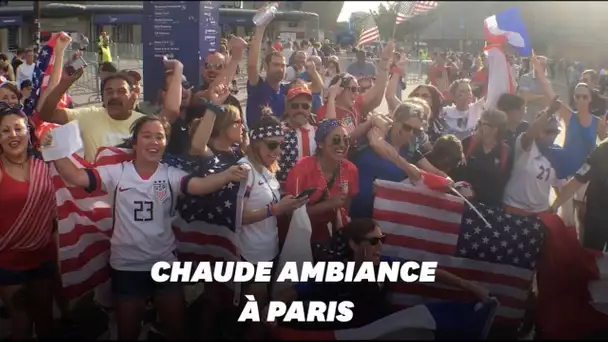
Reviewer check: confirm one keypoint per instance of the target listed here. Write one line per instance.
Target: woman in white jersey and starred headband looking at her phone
(257, 235)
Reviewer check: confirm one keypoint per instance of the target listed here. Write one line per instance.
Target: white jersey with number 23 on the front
(143, 208)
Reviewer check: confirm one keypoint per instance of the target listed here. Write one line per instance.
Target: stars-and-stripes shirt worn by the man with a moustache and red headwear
(298, 143)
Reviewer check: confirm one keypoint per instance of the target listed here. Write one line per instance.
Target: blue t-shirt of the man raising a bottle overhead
(262, 95)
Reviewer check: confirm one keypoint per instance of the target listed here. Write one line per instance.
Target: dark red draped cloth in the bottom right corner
(572, 280)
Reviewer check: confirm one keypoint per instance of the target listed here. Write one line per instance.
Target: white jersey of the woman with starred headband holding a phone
(259, 241)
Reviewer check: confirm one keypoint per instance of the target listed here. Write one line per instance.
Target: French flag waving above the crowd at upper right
(508, 27)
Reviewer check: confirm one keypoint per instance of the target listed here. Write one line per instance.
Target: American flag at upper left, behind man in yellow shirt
(40, 78)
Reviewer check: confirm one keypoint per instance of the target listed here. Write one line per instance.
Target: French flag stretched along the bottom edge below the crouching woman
(432, 321)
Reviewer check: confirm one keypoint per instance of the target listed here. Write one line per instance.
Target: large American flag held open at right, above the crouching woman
(425, 225)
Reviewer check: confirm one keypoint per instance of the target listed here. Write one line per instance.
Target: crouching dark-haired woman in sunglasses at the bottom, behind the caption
(360, 241)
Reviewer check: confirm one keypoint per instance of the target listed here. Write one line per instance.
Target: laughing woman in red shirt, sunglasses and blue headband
(334, 179)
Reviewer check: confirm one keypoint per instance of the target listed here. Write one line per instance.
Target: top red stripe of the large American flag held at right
(414, 197)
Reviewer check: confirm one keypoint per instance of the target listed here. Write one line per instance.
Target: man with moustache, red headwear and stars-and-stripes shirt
(299, 134)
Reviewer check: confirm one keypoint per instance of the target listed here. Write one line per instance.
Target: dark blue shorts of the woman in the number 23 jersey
(138, 285)
